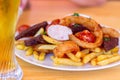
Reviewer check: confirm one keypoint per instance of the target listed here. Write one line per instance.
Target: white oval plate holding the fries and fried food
(48, 63)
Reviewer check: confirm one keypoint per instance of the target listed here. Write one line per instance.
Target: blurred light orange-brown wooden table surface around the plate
(42, 10)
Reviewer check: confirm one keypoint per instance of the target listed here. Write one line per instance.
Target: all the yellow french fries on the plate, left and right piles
(96, 56)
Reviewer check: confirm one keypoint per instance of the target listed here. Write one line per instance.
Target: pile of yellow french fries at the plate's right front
(95, 57)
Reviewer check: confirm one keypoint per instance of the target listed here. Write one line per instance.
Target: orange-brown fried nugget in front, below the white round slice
(66, 47)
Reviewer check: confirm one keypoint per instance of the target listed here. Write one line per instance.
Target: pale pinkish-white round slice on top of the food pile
(59, 32)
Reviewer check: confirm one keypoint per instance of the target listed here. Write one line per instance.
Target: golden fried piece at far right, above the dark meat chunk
(111, 32)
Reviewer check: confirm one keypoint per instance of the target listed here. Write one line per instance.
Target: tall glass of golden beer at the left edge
(9, 68)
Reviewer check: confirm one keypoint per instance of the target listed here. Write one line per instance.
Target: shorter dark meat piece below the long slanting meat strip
(35, 40)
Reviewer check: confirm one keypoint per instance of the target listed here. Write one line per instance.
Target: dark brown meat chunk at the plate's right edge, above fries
(110, 43)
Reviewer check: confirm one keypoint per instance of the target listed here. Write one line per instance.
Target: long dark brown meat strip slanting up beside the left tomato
(31, 31)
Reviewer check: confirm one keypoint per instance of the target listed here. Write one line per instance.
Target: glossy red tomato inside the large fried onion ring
(86, 36)
